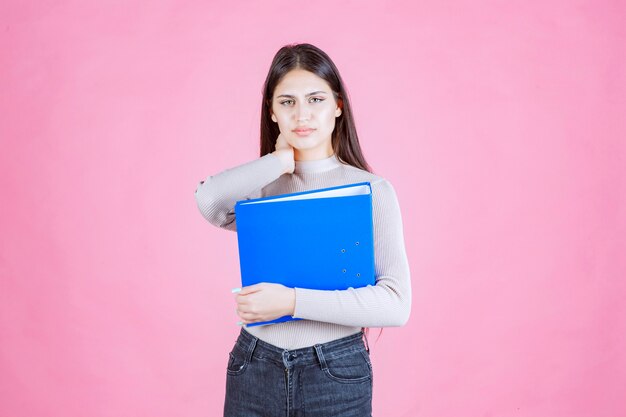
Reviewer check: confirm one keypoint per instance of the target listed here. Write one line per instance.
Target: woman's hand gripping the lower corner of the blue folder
(264, 302)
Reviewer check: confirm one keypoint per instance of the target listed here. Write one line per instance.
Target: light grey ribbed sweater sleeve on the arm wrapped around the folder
(388, 302)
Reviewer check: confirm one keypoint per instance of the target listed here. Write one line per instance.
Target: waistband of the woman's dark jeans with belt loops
(315, 354)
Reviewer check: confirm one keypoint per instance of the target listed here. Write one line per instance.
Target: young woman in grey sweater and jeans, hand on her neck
(318, 366)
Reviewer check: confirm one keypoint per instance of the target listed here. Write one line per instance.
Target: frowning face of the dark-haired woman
(305, 109)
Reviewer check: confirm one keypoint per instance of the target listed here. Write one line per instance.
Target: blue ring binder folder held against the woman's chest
(319, 239)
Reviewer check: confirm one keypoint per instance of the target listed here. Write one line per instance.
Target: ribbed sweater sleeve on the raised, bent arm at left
(217, 194)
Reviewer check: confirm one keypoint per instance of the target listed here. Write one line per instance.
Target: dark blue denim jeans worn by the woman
(329, 379)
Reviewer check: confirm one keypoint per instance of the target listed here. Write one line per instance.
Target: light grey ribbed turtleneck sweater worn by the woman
(328, 315)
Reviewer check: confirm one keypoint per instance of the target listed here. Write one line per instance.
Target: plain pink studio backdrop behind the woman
(500, 124)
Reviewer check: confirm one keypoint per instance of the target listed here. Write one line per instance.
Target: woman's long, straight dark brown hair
(345, 141)
